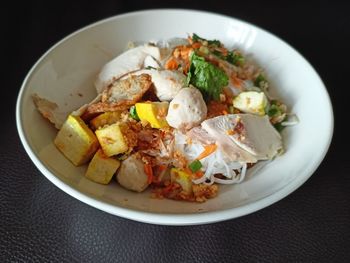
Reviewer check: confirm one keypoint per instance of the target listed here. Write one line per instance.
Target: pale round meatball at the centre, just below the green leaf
(187, 109)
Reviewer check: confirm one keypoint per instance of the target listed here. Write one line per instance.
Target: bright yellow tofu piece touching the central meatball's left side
(153, 112)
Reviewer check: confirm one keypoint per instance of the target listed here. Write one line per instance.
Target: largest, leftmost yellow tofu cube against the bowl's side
(76, 141)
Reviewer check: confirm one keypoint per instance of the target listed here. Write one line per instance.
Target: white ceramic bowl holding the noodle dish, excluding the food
(68, 70)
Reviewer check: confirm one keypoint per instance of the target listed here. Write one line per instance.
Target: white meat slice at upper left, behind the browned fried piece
(131, 60)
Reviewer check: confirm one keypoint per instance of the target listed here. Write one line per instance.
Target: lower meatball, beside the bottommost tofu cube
(131, 174)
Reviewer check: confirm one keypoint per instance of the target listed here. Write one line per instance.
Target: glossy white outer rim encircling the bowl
(170, 218)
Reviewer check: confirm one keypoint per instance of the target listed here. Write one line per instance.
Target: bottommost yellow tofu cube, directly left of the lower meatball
(102, 168)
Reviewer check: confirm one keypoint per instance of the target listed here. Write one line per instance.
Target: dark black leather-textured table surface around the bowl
(39, 222)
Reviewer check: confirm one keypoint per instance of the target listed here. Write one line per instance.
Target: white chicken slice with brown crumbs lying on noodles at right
(252, 133)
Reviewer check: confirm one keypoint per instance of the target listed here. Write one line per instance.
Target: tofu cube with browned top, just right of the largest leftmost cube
(112, 140)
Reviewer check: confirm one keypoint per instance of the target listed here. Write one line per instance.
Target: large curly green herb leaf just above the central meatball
(208, 78)
